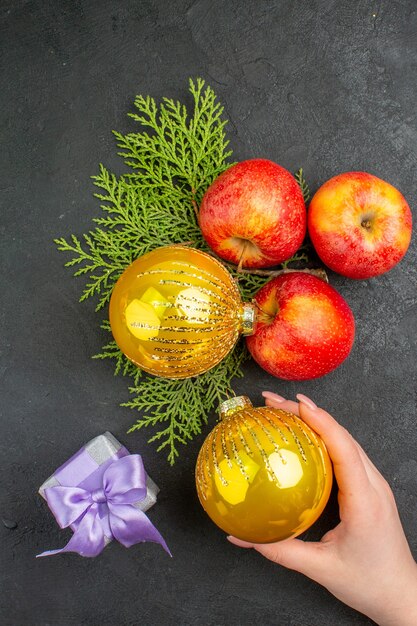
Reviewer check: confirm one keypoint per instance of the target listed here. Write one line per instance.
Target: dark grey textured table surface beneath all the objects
(322, 84)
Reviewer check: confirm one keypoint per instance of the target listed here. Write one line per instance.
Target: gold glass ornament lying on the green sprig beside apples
(176, 312)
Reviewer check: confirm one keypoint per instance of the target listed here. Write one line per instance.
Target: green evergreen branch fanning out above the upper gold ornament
(153, 205)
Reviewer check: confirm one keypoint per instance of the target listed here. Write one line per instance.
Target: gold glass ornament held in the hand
(262, 474)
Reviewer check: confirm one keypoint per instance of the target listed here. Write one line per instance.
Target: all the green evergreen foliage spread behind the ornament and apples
(171, 160)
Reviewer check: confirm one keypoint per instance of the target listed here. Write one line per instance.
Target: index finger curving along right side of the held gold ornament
(349, 469)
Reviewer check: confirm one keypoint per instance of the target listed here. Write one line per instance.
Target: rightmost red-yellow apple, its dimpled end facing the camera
(359, 225)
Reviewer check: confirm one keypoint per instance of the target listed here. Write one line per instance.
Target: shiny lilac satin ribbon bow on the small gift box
(123, 485)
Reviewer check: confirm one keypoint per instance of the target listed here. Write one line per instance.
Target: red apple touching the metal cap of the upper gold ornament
(305, 328)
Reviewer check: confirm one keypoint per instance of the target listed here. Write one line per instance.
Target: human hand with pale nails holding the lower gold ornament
(365, 561)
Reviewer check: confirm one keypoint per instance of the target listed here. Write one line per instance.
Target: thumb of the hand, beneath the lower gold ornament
(307, 558)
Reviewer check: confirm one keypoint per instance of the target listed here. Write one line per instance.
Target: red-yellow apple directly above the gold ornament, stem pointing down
(254, 213)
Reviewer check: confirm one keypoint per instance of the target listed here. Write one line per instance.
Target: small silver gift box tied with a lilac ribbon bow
(102, 493)
